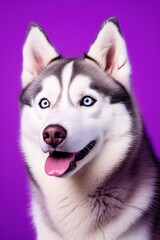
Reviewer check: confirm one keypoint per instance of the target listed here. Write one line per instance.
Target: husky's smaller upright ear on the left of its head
(37, 53)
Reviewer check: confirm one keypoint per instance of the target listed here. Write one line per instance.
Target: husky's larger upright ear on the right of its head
(109, 50)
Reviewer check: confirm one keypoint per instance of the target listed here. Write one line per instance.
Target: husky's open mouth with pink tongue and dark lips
(59, 163)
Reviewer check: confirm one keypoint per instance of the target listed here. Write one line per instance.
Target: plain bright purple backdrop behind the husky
(72, 27)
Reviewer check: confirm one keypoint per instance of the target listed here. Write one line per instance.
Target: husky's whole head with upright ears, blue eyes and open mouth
(73, 107)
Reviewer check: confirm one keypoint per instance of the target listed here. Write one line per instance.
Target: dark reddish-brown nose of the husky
(54, 135)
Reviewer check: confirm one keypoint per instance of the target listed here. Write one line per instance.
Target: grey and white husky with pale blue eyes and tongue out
(94, 175)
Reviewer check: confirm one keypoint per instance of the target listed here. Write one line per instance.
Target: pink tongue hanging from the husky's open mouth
(57, 166)
